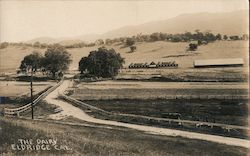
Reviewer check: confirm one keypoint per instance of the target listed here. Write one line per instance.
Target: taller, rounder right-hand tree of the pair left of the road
(56, 59)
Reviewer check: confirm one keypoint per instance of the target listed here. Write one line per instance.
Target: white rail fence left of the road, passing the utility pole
(17, 111)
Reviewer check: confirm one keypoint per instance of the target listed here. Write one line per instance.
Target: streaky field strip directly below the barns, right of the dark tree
(226, 74)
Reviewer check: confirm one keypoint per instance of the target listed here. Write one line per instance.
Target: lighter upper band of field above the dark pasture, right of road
(158, 90)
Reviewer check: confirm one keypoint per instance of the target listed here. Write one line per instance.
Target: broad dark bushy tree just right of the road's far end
(102, 62)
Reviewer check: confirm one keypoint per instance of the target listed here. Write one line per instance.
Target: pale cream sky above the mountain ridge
(22, 20)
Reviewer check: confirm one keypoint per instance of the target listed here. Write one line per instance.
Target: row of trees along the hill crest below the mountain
(157, 36)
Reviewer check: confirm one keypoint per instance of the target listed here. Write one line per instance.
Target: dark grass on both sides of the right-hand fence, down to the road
(190, 110)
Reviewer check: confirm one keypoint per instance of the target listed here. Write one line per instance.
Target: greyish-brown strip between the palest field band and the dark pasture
(154, 93)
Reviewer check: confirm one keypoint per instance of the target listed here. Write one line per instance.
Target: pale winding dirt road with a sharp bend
(70, 110)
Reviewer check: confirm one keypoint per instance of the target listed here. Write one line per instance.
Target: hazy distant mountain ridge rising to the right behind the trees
(230, 23)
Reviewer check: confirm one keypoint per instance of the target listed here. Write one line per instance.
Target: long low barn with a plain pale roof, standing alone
(219, 63)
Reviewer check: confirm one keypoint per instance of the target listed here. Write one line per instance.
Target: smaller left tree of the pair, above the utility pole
(31, 62)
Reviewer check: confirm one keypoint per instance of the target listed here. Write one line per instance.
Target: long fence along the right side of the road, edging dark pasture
(179, 121)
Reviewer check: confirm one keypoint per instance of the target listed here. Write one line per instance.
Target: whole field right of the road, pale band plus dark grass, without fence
(152, 99)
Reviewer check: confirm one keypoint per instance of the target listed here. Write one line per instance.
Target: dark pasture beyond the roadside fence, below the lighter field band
(221, 111)
